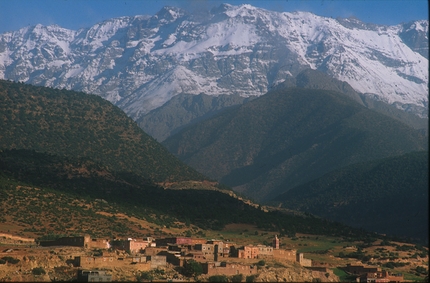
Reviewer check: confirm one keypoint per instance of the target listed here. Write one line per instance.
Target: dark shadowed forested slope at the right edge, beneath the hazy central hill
(387, 196)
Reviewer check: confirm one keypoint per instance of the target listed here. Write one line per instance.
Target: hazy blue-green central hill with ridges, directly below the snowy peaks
(288, 137)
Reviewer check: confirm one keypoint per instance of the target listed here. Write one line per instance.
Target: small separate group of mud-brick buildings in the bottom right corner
(372, 274)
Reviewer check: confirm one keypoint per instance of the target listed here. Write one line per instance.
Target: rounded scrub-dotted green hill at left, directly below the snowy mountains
(74, 124)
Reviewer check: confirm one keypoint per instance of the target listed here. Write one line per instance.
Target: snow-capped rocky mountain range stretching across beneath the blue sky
(141, 62)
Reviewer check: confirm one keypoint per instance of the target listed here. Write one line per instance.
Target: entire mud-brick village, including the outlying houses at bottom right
(216, 257)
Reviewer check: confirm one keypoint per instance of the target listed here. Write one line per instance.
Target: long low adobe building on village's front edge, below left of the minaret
(224, 268)
